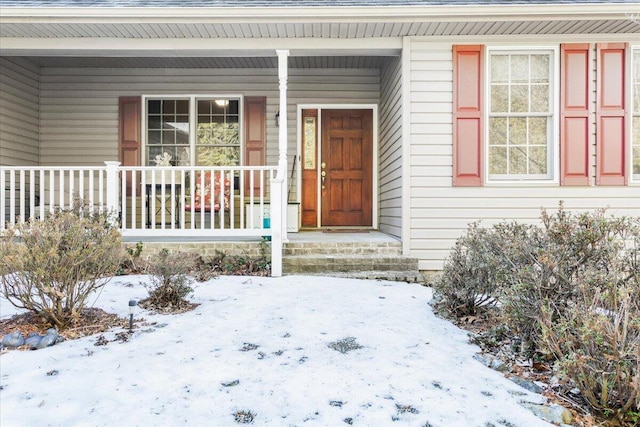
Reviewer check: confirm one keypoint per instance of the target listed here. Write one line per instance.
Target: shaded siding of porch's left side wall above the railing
(19, 87)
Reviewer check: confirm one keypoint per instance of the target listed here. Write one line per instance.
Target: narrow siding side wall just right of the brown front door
(390, 148)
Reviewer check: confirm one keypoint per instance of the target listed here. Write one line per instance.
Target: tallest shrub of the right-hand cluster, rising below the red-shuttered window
(554, 260)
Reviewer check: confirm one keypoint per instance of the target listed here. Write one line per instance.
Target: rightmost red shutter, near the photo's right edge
(611, 115)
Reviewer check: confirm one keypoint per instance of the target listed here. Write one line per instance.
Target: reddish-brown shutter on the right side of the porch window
(255, 135)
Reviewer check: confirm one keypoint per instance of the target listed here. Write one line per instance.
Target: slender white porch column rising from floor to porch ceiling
(283, 75)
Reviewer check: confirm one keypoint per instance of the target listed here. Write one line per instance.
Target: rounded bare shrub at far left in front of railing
(51, 267)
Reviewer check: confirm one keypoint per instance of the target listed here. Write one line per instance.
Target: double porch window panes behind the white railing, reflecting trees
(193, 131)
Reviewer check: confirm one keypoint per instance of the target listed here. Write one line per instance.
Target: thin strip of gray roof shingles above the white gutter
(288, 3)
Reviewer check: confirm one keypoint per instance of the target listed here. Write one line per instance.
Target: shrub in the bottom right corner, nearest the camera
(597, 344)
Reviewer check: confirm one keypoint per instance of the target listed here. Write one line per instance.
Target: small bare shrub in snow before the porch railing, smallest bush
(170, 280)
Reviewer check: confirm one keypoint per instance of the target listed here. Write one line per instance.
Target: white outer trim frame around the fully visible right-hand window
(554, 169)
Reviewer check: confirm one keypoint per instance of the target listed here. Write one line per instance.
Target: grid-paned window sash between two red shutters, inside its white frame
(520, 144)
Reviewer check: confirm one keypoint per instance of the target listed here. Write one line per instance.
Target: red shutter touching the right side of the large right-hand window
(576, 139)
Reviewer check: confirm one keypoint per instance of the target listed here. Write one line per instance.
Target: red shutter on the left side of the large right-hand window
(468, 115)
